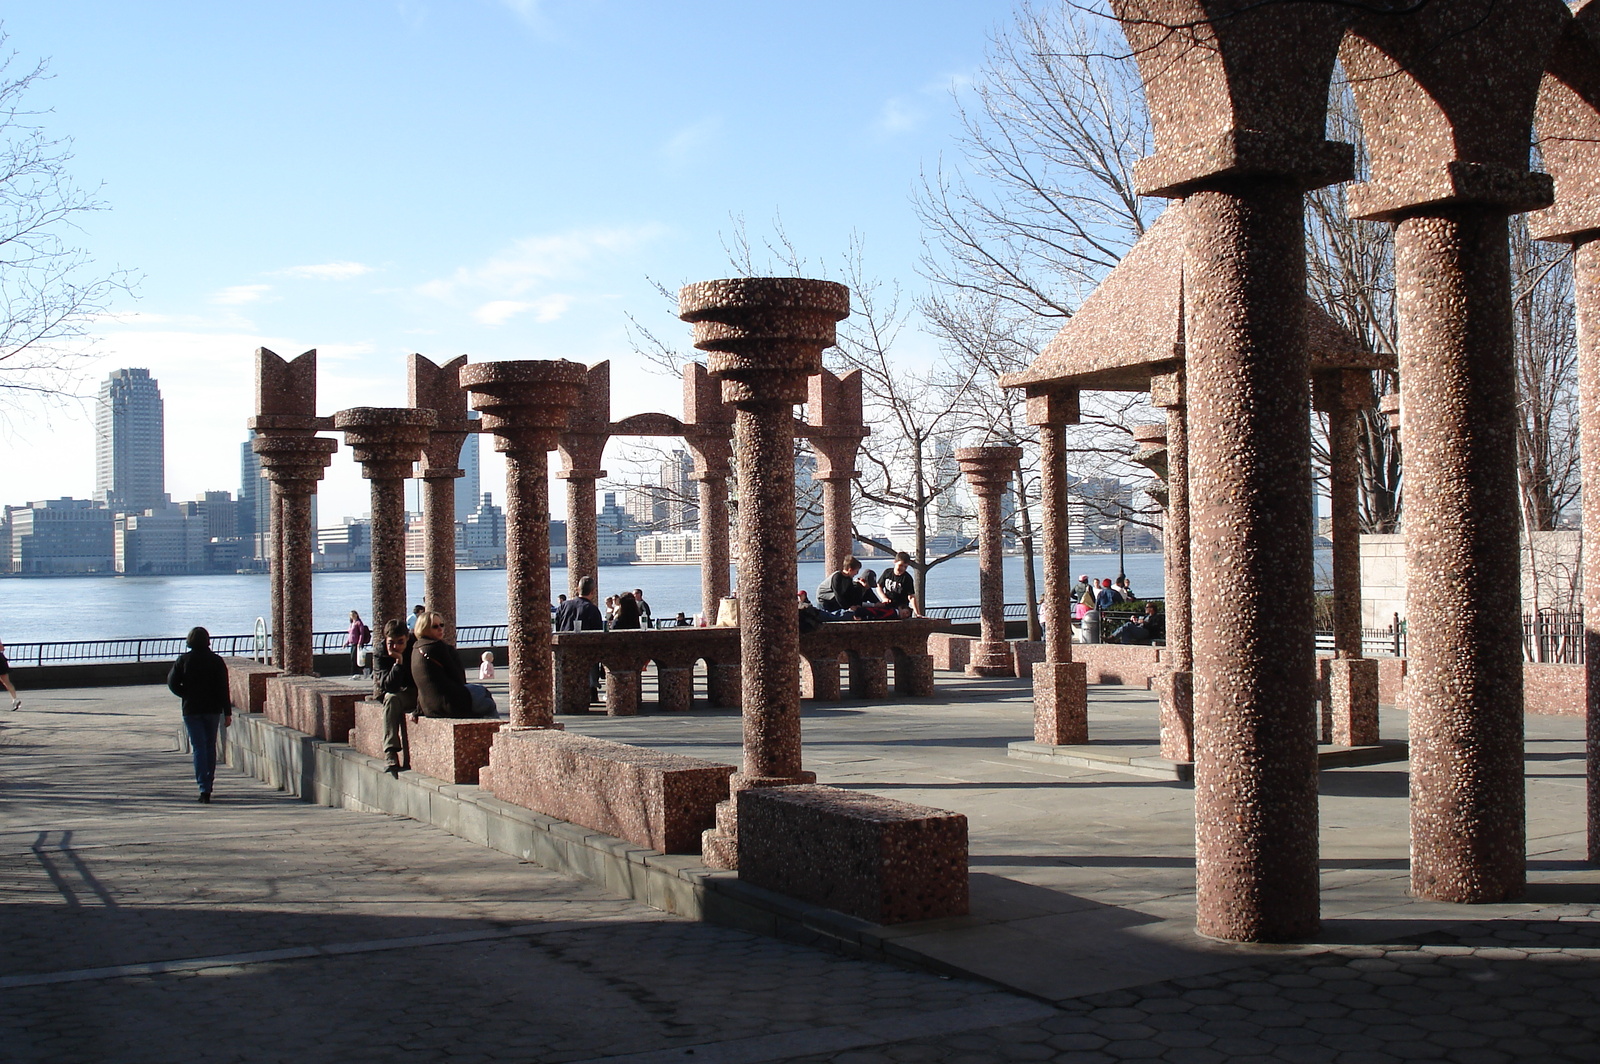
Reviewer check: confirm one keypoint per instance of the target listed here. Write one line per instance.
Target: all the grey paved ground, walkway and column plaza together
(140, 926)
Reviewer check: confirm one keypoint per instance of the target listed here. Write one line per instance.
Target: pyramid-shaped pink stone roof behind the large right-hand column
(1132, 327)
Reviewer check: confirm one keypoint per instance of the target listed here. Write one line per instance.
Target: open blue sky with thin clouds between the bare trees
(495, 178)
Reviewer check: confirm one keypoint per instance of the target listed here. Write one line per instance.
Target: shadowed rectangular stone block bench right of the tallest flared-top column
(874, 858)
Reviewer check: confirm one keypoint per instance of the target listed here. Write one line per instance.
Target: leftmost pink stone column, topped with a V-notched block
(294, 460)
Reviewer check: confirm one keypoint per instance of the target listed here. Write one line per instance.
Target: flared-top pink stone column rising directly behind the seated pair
(388, 442)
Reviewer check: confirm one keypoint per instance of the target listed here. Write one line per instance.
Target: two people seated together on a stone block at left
(425, 679)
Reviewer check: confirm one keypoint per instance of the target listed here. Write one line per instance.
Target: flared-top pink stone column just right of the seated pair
(527, 407)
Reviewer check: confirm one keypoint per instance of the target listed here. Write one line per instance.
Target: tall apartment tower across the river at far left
(130, 450)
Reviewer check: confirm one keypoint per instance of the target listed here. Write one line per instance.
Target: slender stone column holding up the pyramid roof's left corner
(1060, 684)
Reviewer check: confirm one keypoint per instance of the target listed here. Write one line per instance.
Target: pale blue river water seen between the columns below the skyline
(126, 607)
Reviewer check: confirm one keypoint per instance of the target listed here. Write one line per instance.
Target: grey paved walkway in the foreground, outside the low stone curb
(406, 943)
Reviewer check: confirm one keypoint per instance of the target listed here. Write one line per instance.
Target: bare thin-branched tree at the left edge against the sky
(49, 287)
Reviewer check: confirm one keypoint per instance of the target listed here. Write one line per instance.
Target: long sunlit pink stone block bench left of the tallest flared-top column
(649, 798)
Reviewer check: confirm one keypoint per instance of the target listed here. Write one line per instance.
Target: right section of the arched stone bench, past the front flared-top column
(871, 647)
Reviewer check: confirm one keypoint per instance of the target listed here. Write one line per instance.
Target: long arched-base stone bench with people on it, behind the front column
(871, 647)
